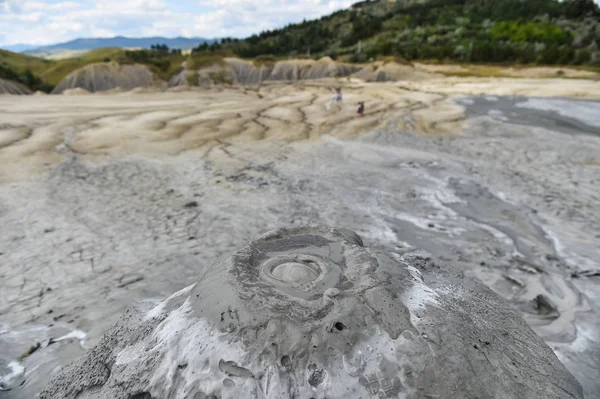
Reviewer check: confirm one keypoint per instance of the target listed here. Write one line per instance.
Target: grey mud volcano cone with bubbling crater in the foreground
(312, 313)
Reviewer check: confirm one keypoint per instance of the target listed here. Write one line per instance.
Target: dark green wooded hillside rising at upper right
(528, 32)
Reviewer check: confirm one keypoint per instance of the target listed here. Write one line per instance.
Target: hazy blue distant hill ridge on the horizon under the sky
(117, 42)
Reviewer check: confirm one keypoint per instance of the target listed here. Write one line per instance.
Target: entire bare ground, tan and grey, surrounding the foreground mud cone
(109, 199)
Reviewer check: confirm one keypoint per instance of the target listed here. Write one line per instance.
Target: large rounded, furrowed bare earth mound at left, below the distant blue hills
(106, 76)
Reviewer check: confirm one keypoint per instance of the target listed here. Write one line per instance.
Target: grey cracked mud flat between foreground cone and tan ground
(511, 200)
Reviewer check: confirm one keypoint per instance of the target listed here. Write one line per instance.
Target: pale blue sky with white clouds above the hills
(41, 22)
